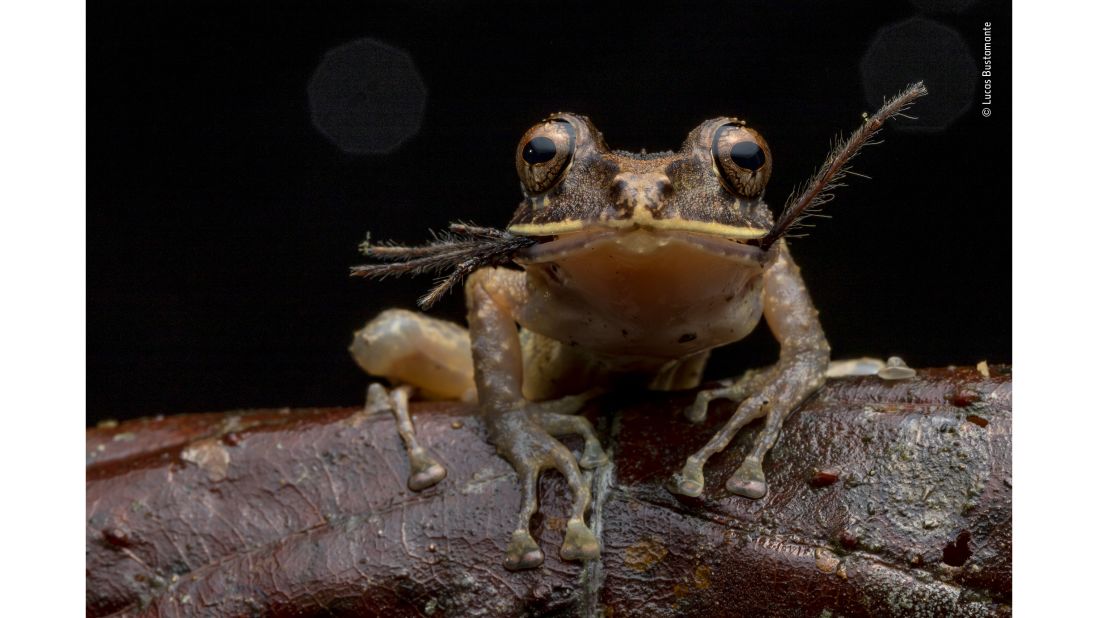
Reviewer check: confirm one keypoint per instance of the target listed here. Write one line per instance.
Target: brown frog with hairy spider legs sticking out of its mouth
(617, 265)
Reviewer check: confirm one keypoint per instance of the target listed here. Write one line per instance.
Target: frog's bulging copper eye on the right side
(743, 160)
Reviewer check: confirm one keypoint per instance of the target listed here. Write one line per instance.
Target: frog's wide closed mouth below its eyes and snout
(638, 241)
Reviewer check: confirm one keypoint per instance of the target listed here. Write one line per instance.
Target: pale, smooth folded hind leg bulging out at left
(411, 349)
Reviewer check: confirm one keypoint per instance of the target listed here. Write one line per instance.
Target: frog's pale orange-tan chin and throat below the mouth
(643, 293)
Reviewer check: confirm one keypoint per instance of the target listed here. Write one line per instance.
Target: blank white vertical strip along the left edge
(43, 283)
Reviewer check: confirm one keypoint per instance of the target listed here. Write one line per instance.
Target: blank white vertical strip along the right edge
(1056, 313)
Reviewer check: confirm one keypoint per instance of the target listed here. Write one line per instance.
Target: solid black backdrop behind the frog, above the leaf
(222, 223)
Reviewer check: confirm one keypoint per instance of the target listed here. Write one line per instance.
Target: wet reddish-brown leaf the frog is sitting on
(301, 513)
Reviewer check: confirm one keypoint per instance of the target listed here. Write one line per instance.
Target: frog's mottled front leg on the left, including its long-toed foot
(523, 432)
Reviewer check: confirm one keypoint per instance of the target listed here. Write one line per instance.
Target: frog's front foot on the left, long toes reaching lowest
(525, 439)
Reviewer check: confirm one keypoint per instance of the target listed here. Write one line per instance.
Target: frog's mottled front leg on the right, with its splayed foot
(776, 391)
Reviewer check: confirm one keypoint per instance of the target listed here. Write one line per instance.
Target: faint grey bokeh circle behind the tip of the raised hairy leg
(921, 49)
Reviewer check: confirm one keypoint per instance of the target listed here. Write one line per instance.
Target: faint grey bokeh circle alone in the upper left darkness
(367, 97)
